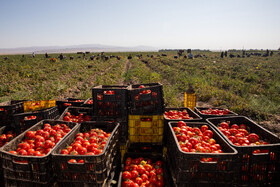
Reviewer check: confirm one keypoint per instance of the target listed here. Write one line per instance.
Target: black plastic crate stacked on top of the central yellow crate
(151, 103)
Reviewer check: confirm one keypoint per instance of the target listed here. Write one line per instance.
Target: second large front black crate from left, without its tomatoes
(96, 168)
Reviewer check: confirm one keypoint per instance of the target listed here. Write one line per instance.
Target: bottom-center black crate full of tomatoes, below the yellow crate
(144, 169)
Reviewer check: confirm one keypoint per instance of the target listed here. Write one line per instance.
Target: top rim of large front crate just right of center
(198, 153)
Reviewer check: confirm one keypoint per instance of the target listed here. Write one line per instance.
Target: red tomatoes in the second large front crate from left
(87, 143)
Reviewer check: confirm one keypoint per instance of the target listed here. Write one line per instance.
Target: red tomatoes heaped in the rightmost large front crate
(239, 135)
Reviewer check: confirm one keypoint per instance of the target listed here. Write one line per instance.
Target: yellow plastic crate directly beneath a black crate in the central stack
(145, 129)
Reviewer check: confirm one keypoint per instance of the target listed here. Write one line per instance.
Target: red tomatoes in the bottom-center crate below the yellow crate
(140, 172)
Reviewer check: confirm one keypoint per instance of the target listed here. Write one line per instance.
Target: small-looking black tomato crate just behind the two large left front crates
(77, 114)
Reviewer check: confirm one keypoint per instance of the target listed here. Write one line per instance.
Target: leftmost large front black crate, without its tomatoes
(37, 171)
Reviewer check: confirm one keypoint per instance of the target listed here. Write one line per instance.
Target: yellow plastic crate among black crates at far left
(30, 106)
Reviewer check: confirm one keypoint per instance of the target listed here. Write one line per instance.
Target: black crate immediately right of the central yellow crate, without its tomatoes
(191, 113)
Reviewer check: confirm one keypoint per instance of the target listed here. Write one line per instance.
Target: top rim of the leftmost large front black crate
(23, 134)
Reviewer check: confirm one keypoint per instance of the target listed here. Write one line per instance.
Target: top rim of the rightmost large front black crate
(242, 147)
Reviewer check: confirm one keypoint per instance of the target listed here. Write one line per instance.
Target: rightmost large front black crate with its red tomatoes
(258, 149)
